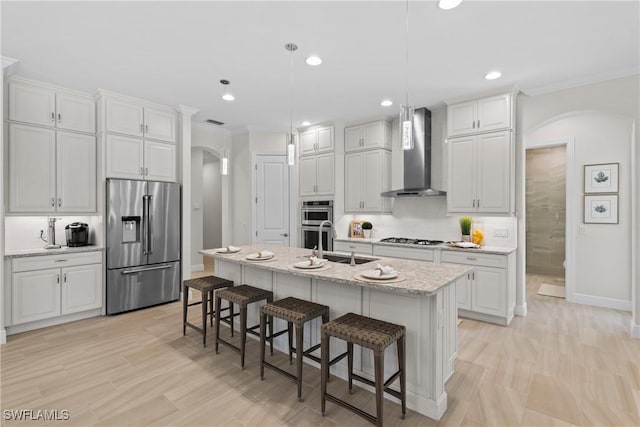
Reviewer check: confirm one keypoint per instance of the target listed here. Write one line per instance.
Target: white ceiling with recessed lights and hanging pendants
(176, 52)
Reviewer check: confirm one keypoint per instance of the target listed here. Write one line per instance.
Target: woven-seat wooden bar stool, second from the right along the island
(295, 312)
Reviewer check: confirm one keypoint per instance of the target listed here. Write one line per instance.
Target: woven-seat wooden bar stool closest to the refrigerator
(206, 285)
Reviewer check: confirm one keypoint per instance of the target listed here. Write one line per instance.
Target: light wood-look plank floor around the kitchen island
(563, 364)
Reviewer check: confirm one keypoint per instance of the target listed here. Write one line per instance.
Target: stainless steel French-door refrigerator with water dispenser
(143, 244)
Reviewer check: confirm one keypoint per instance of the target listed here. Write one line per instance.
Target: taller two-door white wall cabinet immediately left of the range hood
(367, 174)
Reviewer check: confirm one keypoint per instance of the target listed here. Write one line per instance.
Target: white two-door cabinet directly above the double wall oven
(317, 175)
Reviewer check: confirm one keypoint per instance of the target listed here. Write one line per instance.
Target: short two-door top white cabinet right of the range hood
(480, 115)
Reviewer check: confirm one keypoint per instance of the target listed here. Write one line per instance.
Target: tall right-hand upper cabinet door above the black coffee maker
(76, 172)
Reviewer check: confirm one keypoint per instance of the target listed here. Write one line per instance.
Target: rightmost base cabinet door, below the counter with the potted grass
(489, 291)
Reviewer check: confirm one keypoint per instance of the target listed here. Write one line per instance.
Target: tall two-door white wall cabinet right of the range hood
(480, 173)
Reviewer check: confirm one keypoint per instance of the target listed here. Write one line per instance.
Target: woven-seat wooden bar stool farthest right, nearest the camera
(376, 335)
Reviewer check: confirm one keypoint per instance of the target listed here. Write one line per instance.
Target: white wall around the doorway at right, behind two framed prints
(602, 119)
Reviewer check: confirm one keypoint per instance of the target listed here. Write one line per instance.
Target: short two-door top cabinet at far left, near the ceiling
(45, 105)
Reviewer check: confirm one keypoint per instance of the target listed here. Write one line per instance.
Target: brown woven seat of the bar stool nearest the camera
(364, 331)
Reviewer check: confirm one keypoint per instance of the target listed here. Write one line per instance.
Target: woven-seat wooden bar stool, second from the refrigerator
(242, 295)
